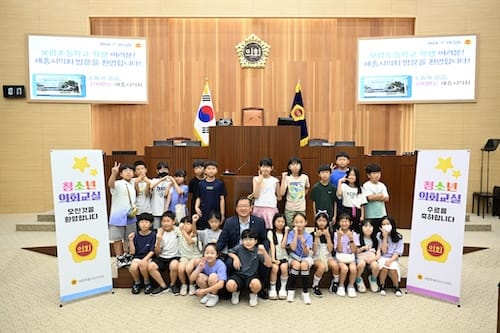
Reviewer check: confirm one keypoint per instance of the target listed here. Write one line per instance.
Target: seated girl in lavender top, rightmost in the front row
(390, 248)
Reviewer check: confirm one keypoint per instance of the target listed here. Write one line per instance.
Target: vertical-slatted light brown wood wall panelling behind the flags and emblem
(317, 51)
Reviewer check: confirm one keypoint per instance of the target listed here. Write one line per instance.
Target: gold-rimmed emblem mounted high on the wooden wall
(253, 52)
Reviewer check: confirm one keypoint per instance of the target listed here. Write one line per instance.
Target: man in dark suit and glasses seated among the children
(231, 236)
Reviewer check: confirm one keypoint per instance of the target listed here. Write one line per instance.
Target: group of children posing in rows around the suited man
(352, 233)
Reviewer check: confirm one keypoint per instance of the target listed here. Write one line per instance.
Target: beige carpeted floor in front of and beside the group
(30, 300)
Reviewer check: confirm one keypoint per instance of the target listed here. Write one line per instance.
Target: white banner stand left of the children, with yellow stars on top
(81, 221)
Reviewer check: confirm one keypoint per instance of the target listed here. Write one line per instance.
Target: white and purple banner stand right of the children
(438, 224)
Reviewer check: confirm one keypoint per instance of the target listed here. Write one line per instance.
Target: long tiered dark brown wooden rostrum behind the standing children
(236, 147)
